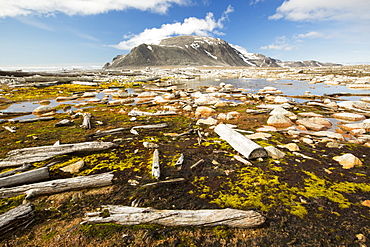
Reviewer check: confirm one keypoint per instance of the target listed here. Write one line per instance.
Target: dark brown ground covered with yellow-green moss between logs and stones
(306, 201)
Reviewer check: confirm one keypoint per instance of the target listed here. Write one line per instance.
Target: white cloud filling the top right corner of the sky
(318, 10)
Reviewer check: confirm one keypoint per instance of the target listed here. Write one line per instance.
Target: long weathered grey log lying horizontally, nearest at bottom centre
(133, 216)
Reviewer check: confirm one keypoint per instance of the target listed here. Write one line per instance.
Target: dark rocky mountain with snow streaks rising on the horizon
(192, 50)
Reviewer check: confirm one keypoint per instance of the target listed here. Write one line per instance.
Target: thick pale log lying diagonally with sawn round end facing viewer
(240, 143)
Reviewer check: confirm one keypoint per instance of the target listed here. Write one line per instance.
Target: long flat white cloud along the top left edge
(13, 8)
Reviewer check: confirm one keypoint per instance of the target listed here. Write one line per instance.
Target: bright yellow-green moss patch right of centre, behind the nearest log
(254, 187)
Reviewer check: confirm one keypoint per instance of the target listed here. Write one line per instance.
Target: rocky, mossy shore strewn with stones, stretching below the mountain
(311, 188)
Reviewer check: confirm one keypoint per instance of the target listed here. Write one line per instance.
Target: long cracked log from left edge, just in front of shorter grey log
(59, 185)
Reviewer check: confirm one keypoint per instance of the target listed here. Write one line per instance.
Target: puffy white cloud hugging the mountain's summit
(191, 25)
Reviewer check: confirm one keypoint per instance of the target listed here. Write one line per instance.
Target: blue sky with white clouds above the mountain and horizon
(89, 33)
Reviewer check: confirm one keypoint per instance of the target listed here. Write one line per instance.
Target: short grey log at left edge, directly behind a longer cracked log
(25, 177)
